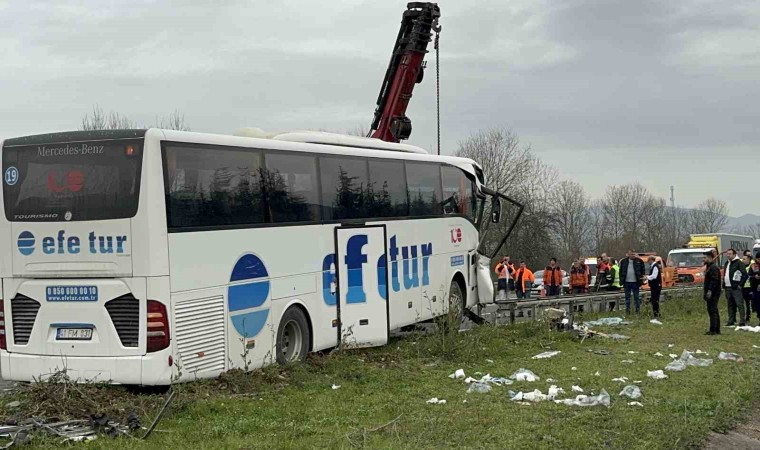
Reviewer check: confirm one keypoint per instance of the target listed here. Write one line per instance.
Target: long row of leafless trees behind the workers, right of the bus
(562, 220)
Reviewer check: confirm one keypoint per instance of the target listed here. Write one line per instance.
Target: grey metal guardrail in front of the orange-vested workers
(515, 311)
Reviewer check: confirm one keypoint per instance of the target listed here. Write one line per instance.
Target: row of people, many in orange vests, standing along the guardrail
(628, 274)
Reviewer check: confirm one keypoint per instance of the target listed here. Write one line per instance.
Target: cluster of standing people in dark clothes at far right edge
(740, 279)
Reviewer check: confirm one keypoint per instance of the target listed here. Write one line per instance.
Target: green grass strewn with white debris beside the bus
(296, 407)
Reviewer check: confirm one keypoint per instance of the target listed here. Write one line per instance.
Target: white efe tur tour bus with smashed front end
(152, 256)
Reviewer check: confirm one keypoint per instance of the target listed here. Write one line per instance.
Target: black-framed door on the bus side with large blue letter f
(362, 286)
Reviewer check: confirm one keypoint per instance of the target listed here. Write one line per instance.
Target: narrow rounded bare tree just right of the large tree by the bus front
(570, 219)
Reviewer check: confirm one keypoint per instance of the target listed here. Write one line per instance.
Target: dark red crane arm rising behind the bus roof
(404, 71)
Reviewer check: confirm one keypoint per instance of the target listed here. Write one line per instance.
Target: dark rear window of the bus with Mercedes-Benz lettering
(76, 181)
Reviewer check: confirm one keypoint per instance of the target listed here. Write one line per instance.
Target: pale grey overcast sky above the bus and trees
(660, 92)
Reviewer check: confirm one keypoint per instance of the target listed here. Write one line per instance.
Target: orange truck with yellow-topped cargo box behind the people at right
(688, 261)
